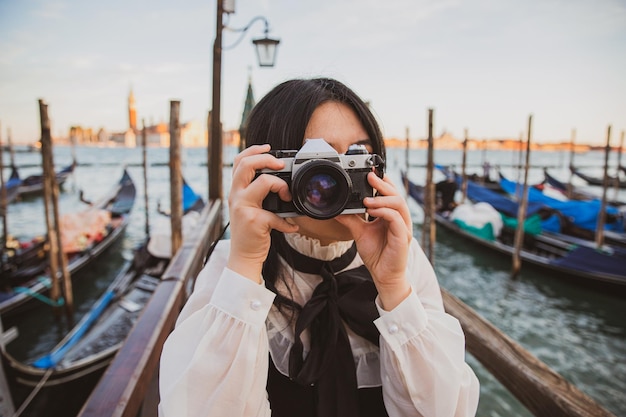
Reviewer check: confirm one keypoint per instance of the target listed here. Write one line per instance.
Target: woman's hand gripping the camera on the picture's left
(250, 224)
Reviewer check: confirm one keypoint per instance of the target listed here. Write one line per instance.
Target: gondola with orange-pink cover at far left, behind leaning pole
(24, 278)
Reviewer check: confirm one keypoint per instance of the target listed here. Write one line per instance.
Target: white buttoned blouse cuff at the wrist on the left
(241, 298)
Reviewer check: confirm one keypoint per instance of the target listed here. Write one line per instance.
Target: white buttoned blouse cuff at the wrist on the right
(403, 323)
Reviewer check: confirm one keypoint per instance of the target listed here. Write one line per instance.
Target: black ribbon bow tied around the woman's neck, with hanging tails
(344, 297)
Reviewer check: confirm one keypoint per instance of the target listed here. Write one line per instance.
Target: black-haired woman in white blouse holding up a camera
(304, 317)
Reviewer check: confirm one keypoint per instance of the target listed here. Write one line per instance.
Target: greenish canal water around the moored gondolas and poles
(577, 331)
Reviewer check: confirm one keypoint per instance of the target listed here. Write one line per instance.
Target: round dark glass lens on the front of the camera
(321, 189)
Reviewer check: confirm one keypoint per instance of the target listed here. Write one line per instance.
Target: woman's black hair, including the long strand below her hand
(281, 118)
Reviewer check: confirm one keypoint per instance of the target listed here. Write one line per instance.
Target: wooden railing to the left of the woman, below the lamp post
(131, 377)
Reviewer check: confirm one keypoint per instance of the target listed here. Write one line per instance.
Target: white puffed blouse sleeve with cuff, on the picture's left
(215, 362)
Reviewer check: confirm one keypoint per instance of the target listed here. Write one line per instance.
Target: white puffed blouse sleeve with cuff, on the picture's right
(422, 352)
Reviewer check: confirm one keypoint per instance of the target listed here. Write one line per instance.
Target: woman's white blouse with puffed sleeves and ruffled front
(215, 362)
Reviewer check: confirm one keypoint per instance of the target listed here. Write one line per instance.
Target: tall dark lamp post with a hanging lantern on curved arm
(266, 54)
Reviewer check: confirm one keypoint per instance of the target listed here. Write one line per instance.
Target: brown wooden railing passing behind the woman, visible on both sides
(129, 386)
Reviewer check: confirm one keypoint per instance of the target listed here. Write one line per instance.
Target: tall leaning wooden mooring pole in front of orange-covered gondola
(57, 257)
